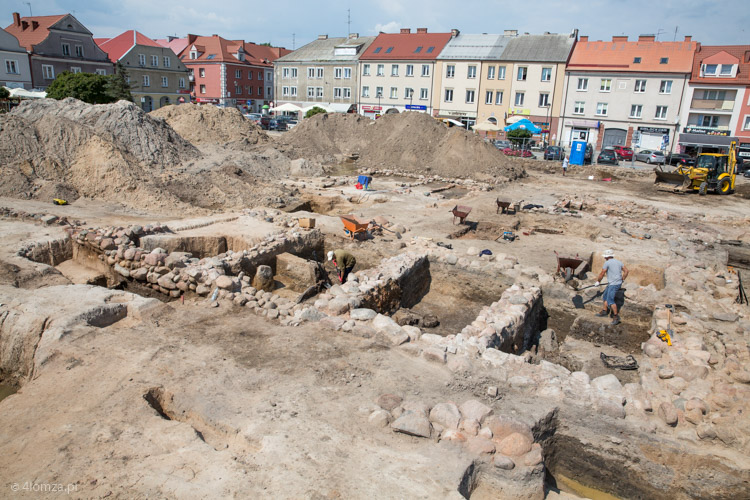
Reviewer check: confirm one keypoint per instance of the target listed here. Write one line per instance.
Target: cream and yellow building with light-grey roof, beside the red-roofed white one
(462, 66)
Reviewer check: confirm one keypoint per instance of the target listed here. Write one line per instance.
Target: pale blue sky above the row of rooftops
(294, 23)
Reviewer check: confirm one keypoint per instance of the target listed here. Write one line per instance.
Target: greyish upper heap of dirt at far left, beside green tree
(150, 141)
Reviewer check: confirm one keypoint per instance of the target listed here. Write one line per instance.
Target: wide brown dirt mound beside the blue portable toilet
(408, 141)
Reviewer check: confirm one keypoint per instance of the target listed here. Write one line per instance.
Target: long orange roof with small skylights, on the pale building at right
(644, 55)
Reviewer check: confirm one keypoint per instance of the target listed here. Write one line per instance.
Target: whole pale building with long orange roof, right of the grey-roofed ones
(613, 89)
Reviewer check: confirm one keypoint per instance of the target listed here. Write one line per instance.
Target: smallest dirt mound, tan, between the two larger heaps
(210, 124)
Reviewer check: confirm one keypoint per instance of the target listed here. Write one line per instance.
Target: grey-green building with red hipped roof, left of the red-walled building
(156, 75)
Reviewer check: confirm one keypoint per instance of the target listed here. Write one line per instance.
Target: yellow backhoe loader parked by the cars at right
(712, 172)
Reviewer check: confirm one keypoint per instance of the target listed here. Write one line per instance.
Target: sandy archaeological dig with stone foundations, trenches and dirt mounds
(177, 328)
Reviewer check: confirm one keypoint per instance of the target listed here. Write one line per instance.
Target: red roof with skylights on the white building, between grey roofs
(400, 46)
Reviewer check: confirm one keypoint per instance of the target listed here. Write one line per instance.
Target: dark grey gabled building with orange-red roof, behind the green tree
(55, 44)
